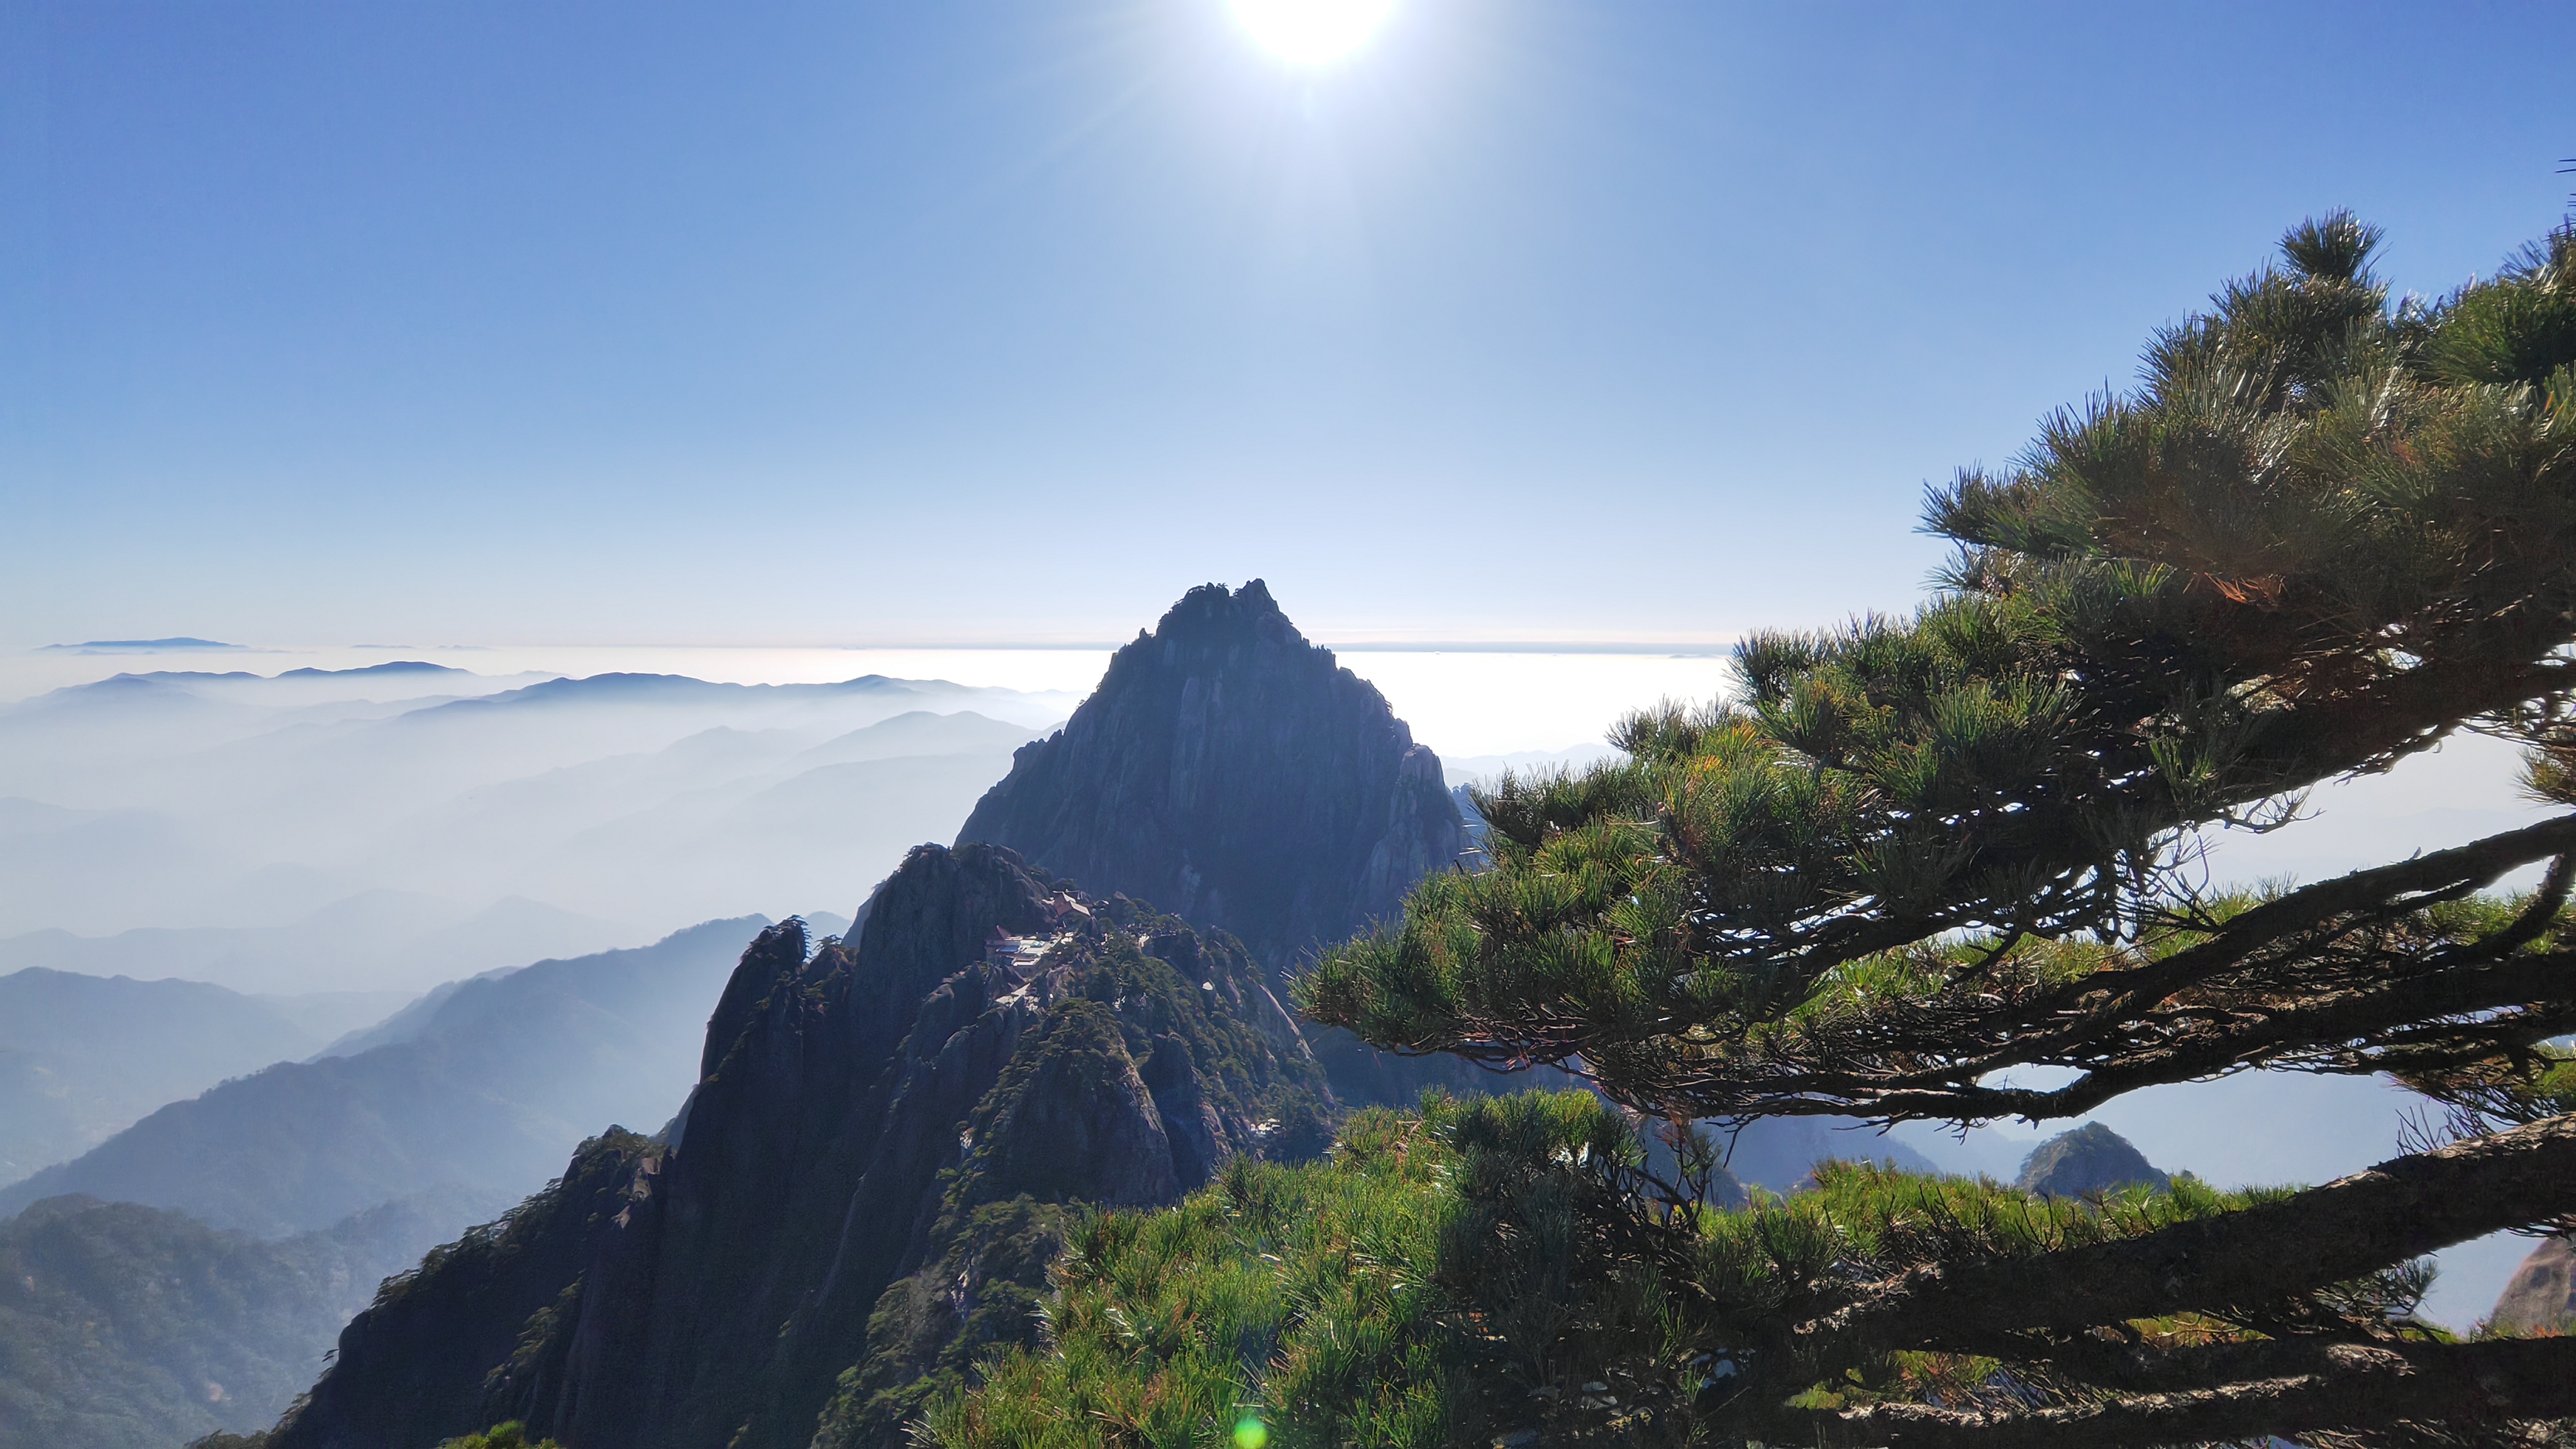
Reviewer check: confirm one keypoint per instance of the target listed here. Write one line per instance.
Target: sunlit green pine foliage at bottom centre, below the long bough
(1480, 1272)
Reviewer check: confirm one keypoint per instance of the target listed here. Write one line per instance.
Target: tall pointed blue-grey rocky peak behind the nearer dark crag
(1240, 777)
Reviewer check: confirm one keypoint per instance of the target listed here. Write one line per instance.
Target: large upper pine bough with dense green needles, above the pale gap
(2325, 535)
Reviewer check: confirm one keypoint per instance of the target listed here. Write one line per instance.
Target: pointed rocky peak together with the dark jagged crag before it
(890, 1133)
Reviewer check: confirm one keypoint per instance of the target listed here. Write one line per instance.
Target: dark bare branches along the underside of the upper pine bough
(2276, 986)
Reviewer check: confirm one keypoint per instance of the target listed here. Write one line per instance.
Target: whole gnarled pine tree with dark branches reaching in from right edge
(1908, 857)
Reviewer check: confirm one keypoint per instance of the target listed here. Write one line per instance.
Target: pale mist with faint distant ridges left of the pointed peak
(640, 803)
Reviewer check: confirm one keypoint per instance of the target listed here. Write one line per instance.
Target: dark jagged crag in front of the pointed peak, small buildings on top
(864, 1113)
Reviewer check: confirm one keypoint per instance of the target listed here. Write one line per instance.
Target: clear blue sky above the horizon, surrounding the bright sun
(1009, 321)
